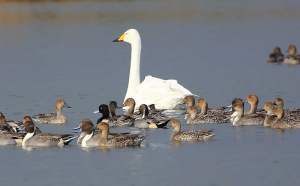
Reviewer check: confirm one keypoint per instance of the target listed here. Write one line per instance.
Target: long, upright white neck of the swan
(134, 74)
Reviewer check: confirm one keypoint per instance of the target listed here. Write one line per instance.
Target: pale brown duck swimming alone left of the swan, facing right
(53, 118)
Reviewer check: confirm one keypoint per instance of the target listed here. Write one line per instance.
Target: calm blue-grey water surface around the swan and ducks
(217, 49)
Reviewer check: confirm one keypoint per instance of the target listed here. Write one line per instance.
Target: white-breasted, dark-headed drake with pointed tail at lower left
(44, 139)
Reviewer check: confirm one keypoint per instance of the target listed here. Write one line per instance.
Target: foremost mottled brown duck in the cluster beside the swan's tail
(203, 117)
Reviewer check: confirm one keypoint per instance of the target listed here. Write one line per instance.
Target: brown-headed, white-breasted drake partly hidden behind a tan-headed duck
(91, 137)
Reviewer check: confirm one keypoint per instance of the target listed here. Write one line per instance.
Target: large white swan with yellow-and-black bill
(165, 94)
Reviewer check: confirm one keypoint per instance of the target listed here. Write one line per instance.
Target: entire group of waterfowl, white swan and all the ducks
(150, 98)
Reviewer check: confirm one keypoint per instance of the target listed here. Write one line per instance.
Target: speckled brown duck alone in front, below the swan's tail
(189, 135)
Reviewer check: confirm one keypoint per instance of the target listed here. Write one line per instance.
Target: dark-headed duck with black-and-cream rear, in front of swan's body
(147, 121)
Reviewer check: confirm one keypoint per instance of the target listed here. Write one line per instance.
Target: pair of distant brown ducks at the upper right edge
(277, 56)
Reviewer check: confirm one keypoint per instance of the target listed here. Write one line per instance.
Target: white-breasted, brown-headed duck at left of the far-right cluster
(238, 117)
